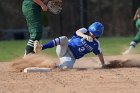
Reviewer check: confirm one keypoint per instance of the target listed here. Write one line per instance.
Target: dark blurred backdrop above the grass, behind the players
(116, 15)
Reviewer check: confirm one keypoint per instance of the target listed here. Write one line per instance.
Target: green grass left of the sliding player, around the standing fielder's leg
(10, 50)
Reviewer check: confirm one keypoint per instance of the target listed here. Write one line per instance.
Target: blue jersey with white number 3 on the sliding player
(80, 47)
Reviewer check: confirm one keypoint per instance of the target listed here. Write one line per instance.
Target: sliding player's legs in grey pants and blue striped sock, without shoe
(65, 55)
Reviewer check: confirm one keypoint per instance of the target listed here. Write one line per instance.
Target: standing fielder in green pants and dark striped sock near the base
(32, 11)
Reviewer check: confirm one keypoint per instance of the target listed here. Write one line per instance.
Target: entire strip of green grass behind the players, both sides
(10, 50)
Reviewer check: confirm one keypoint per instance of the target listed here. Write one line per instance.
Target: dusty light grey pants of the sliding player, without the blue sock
(65, 55)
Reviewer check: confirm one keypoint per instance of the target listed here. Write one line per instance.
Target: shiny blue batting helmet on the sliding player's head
(96, 29)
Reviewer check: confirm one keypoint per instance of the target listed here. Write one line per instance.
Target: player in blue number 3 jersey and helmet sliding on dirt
(82, 42)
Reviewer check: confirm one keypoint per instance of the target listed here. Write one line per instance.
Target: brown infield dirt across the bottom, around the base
(122, 76)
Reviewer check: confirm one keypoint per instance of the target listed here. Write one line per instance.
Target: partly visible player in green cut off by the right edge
(136, 39)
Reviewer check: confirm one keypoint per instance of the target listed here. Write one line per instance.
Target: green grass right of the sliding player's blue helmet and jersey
(117, 45)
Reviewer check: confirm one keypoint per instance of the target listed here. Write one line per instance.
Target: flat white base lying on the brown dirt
(36, 69)
